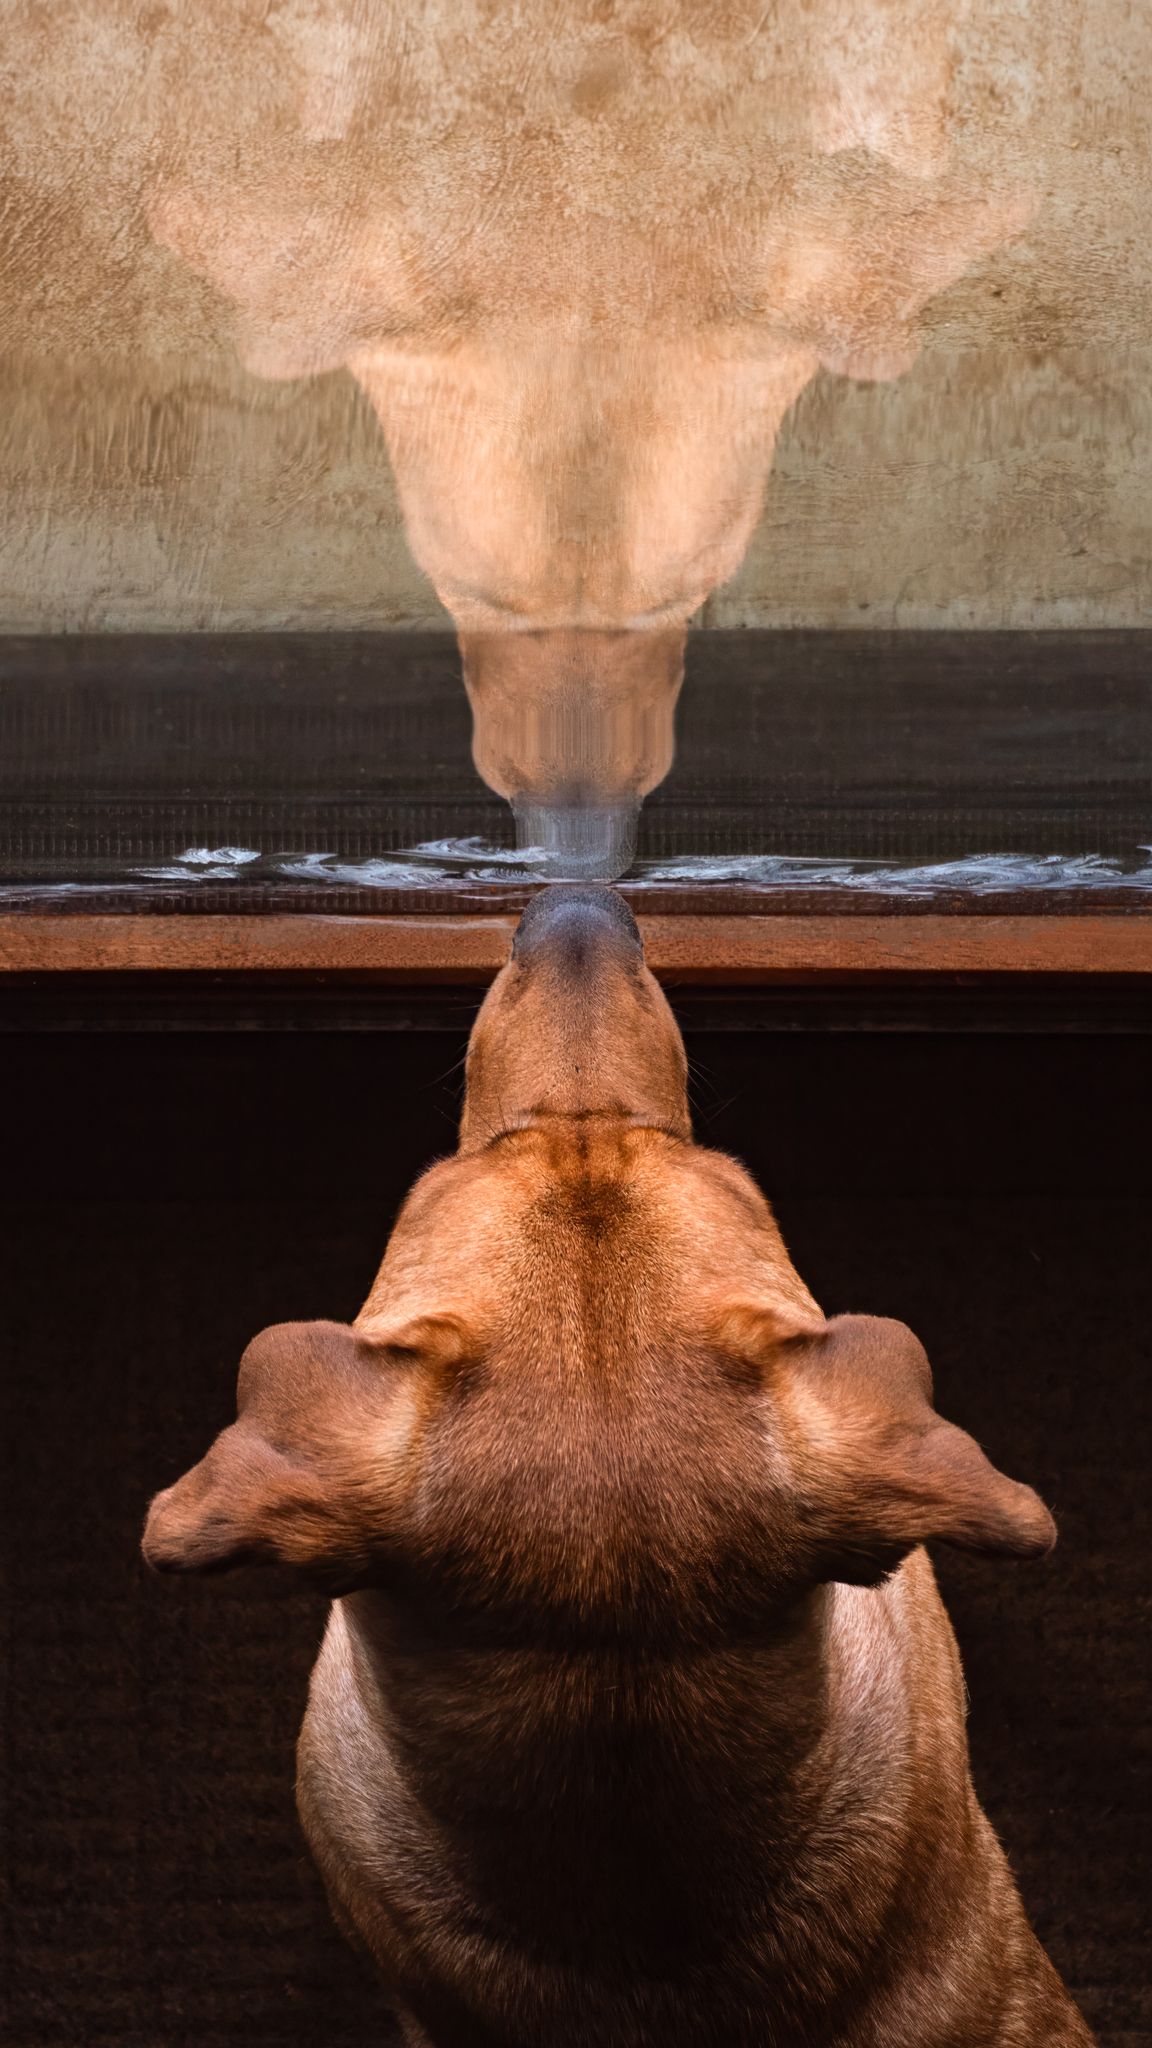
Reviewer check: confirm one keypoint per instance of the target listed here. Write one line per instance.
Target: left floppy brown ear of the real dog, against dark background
(308, 1474)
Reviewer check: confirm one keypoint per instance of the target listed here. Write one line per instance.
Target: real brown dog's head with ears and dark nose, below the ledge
(589, 1392)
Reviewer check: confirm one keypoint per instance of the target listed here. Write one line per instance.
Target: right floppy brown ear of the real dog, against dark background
(876, 1469)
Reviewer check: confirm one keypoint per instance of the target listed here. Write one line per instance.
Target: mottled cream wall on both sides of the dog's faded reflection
(149, 482)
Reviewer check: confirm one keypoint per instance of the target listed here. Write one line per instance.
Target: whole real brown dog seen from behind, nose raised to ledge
(639, 1721)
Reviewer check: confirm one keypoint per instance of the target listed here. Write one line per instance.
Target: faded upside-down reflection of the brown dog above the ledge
(583, 261)
